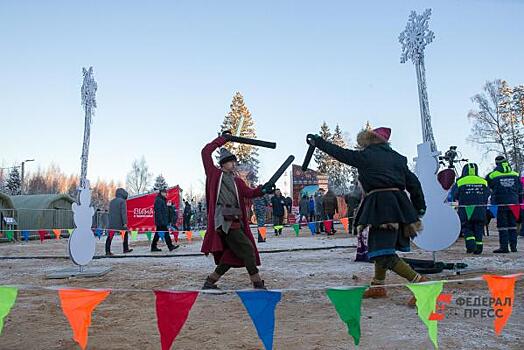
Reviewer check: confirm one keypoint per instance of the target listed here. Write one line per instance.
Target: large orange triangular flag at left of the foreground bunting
(77, 305)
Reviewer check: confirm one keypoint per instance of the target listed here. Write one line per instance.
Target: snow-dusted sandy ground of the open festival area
(304, 319)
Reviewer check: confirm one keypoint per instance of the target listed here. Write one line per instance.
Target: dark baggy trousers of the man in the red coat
(242, 247)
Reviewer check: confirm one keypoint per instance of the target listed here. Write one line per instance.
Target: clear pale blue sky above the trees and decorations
(167, 70)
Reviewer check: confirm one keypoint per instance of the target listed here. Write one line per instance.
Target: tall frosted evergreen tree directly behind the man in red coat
(247, 155)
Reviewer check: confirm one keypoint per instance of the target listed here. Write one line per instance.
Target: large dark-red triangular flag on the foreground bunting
(172, 310)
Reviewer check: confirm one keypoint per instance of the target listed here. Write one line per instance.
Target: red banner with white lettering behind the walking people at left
(140, 212)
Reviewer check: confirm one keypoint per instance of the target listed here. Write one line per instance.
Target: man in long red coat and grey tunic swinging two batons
(228, 236)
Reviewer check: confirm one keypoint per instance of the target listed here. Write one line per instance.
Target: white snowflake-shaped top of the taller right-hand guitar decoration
(415, 37)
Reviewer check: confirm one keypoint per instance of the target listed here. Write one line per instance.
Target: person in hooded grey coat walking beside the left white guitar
(118, 219)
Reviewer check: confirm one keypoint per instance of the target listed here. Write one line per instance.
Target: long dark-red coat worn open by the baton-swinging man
(212, 241)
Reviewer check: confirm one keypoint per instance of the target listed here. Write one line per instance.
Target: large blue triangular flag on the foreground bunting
(260, 306)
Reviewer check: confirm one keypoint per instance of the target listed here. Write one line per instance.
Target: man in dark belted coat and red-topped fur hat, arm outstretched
(389, 213)
